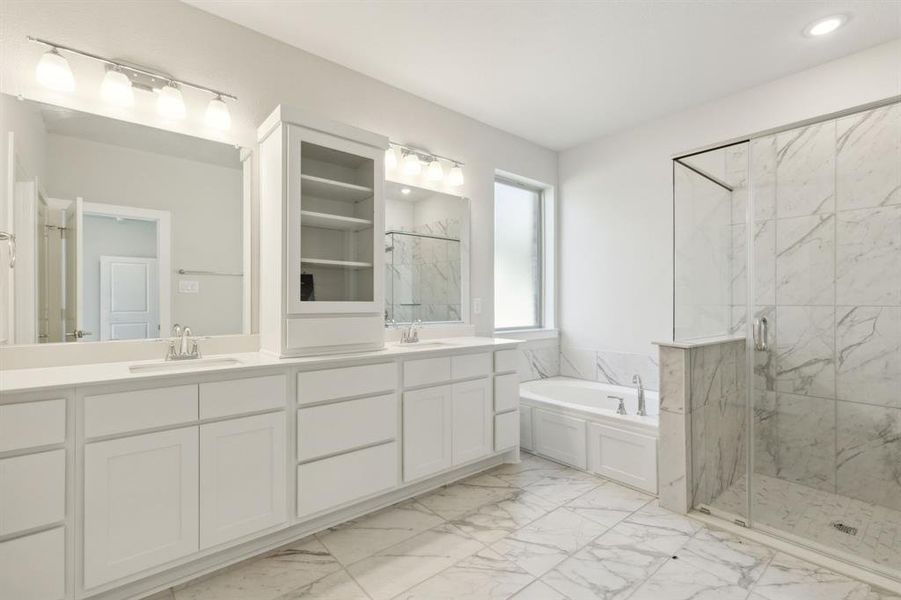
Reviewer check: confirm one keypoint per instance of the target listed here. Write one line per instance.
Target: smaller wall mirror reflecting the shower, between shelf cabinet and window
(425, 245)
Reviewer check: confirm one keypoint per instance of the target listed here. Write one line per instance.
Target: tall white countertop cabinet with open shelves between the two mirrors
(322, 214)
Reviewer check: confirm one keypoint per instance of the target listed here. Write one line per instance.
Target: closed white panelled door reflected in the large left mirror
(129, 298)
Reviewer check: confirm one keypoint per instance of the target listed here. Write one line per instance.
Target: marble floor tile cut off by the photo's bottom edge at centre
(483, 576)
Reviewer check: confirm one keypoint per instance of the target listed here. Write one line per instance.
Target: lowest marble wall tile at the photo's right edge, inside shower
(869, 453)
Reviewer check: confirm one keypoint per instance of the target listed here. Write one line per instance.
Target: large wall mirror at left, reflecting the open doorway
(121, 230)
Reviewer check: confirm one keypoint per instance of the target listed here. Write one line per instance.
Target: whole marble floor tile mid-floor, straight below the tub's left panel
(540, 546)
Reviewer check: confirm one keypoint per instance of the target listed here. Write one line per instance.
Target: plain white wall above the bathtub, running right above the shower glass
(616, 214)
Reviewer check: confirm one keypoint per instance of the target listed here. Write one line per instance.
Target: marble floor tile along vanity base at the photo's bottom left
(298, 566)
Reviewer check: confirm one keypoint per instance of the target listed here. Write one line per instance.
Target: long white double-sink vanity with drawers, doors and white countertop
(117, 483)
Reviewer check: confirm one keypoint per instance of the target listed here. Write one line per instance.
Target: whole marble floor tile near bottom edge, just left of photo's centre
(400, 567)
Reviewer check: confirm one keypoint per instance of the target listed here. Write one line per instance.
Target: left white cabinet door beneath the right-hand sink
(428, 419)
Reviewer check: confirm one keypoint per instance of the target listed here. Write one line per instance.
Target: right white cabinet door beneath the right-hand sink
(473, 424)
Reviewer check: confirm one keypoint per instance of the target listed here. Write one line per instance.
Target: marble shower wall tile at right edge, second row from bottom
(868, 354)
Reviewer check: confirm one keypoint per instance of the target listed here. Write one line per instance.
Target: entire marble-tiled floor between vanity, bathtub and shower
(531, 531)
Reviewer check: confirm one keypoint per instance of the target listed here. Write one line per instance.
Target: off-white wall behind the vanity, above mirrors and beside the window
(263, 73)
